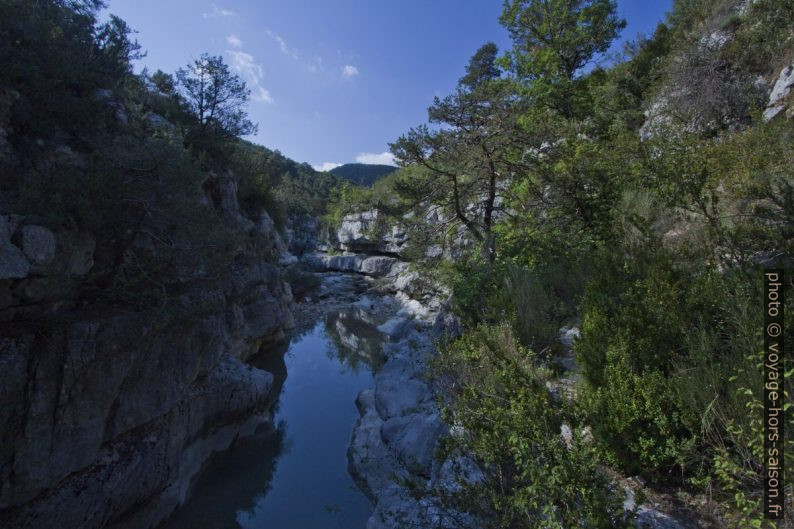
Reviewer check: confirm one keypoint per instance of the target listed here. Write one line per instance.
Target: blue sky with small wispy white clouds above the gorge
(334, 81)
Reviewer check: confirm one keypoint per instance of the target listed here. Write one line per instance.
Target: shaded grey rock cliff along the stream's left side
(106, 410)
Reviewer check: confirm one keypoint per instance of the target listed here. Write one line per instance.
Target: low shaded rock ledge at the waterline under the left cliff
(159, 457)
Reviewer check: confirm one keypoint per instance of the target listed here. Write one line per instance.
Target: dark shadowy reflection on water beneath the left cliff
(245, 472)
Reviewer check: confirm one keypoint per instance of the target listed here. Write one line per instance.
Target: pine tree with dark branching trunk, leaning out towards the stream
(466, 157)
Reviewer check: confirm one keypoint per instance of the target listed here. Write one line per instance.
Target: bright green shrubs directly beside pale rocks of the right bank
(509, 425)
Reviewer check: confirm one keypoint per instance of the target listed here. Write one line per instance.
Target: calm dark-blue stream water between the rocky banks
(294, 475)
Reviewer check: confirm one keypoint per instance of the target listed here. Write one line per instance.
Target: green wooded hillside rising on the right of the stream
(638, 201)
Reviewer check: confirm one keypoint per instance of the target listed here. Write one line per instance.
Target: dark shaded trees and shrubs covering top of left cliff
(152, 165)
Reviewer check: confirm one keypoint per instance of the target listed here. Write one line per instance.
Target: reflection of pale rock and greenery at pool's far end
(356, 337)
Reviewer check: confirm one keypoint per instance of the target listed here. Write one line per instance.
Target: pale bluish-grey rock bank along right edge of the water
(395, 439)
